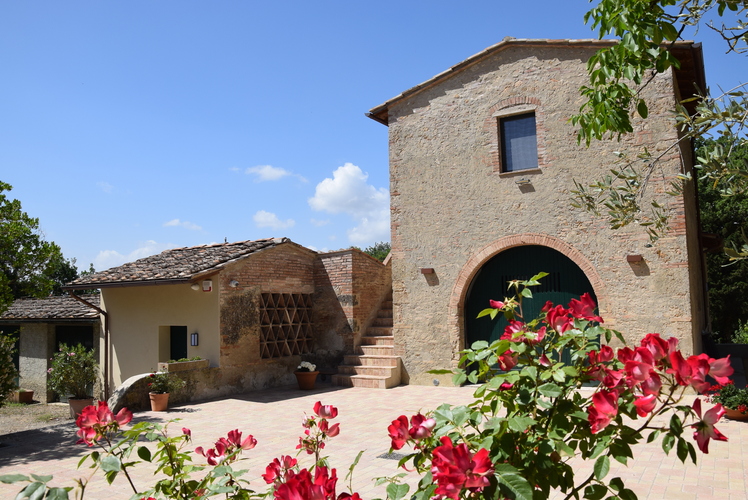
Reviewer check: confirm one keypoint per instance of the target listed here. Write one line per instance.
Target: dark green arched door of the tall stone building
(564, 282)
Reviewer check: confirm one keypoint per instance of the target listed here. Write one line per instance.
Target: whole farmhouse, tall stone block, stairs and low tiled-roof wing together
(482, 164)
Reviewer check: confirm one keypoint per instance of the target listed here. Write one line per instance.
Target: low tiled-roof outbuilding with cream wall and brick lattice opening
(253, 309)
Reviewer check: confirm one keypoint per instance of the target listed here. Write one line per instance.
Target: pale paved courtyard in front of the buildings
(274, 418)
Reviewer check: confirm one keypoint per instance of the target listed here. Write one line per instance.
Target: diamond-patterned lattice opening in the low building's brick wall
(285, 324)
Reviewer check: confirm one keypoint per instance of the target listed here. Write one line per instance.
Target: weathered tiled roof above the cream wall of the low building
(177, 265)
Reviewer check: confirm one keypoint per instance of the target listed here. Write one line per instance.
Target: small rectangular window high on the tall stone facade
(519, 145)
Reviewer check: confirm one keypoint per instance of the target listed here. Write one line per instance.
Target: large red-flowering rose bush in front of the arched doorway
(528, 418)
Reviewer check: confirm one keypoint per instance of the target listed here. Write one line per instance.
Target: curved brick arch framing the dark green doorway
(474, 263)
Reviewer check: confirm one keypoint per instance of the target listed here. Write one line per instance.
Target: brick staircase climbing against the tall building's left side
(375, 366)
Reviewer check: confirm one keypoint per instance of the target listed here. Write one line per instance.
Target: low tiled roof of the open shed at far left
(62, 307)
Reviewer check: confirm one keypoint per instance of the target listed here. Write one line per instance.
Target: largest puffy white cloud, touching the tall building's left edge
(348, 192)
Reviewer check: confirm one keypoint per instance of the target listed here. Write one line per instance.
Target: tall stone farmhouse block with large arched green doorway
(482, 164)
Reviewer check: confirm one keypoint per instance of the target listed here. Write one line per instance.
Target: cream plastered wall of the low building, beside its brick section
(137, 313)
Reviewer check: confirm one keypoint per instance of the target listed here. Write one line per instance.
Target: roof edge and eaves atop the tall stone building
(687, 52)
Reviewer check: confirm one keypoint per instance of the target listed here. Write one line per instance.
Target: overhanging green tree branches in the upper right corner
(619, 73)
